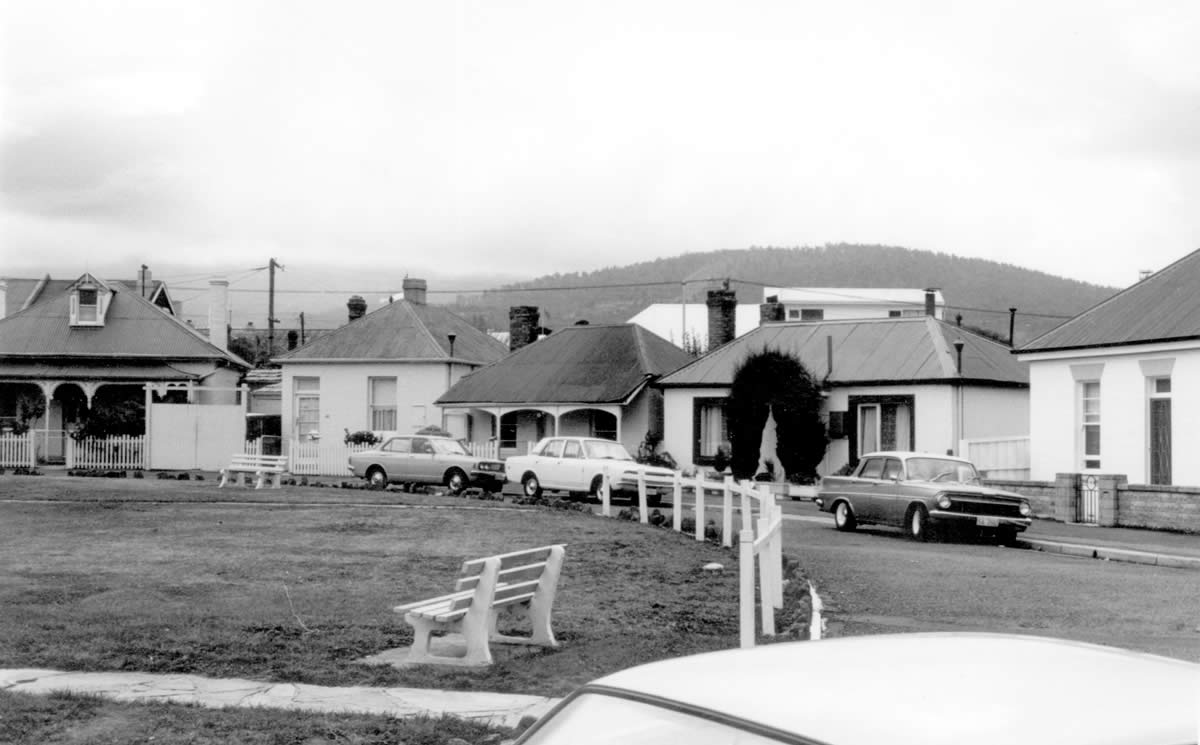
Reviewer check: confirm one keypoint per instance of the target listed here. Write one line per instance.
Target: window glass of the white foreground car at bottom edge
(598, 719)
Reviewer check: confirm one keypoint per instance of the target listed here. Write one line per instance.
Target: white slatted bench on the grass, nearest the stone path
(520, 585)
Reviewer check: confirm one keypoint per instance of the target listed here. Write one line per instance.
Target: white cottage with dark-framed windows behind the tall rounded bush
(891, 384)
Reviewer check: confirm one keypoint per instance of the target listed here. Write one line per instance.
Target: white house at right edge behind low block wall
(1113, 390)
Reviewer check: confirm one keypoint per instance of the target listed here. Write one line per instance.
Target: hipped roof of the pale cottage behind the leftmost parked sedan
(401, 332)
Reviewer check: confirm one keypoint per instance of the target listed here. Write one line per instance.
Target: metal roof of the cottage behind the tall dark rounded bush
(866, 352)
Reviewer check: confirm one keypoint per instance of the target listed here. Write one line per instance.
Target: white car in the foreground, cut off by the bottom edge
(919, 689)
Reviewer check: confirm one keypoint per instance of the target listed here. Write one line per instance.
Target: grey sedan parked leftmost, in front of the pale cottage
(419, 459)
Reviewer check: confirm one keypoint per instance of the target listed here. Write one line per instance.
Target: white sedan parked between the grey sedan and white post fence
(579, 464)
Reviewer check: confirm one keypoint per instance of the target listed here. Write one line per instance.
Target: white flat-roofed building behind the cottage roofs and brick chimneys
(689, 322)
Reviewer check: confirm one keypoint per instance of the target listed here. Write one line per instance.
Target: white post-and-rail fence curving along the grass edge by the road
(760, 538)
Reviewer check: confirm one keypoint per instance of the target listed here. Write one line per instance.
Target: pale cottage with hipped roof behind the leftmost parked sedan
(382, 372)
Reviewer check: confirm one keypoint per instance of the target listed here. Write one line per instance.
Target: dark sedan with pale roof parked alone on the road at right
(921, 492)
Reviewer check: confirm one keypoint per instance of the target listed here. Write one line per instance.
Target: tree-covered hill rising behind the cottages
(982, 291)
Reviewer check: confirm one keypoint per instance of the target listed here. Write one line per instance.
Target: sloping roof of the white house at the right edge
(1163, 308)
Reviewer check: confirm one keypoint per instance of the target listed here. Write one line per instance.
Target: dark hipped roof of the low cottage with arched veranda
(601, 364)
